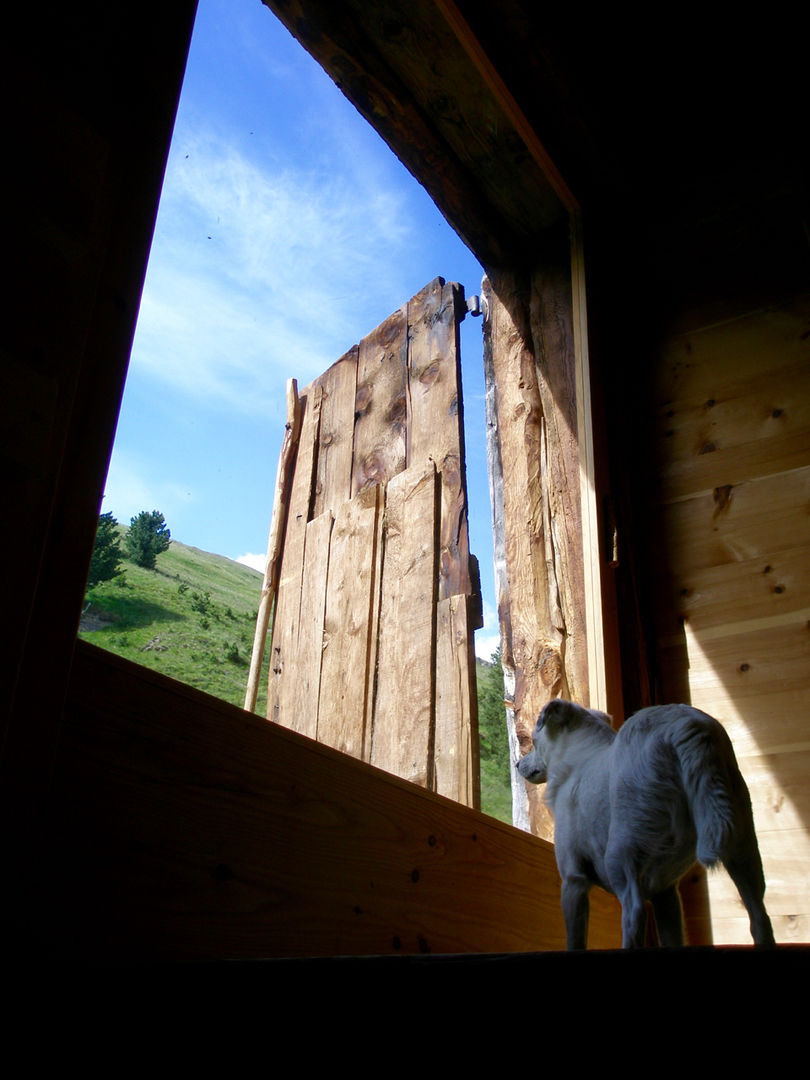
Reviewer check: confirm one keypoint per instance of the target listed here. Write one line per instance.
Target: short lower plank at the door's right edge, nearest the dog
(456, 744)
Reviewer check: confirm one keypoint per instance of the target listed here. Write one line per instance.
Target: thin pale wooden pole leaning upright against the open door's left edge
(275, 542)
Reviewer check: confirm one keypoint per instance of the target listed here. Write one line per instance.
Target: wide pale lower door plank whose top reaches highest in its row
(403, 725)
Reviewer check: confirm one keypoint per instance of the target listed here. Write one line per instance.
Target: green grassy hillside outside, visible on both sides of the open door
(194, 618)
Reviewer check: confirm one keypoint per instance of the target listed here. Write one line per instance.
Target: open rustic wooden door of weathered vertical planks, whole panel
(376, 601)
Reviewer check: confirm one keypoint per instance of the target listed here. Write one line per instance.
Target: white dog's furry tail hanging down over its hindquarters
(711, 781)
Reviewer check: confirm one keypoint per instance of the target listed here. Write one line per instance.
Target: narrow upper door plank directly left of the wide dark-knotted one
(335, 449)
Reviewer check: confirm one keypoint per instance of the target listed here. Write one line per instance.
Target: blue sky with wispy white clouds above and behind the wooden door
(288, 232)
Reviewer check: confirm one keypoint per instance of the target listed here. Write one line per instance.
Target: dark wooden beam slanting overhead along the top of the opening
(417, 73)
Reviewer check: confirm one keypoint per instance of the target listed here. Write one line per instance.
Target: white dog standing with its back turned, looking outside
(634, 809)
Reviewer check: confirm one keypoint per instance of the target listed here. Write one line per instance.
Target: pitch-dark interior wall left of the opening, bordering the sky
(91, 93)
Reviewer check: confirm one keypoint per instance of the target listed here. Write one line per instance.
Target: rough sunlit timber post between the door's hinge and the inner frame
(535, 471)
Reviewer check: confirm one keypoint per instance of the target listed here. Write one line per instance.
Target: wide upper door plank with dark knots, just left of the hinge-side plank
(381, 407)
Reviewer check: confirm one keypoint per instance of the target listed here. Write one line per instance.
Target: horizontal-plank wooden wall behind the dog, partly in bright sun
(733, 416)
